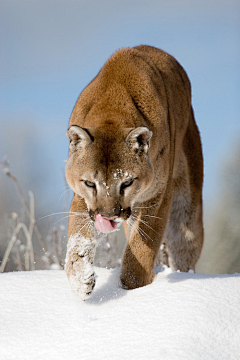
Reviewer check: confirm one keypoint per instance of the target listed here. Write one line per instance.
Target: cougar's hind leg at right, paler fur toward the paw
(185, 228)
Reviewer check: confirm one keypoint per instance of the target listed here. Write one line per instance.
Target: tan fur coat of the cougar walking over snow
(135, 121)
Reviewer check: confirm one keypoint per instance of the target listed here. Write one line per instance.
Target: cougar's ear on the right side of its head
(139, 138)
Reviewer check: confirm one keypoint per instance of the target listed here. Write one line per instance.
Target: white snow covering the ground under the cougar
(179, 316)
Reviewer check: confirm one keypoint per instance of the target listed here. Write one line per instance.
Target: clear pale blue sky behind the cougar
(51, 49)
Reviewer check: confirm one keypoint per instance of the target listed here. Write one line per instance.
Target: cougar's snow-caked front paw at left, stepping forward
(79, 265)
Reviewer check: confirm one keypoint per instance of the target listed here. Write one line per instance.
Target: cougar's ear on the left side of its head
(78, 137)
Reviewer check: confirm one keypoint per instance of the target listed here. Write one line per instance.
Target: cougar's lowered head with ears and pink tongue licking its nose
(110, 169)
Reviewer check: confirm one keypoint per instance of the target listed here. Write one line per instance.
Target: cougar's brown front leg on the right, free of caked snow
(146, 233)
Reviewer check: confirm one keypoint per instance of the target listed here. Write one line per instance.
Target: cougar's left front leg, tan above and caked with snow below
(80, 250)
